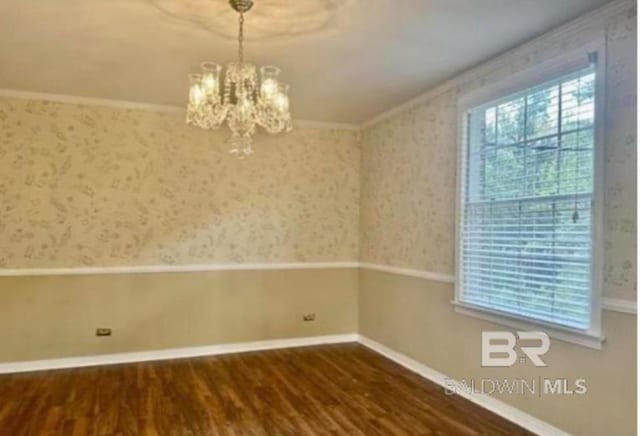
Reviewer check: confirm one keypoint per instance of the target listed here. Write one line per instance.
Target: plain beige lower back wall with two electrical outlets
(56, 316)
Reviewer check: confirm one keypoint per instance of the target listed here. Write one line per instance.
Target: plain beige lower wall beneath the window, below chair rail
(415, 317)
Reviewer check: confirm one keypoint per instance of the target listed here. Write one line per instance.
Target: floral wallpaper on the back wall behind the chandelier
(98, 186)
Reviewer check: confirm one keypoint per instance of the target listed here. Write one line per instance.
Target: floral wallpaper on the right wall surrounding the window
(408, 169)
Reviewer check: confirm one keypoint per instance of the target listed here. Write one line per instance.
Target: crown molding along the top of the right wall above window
(591, 19)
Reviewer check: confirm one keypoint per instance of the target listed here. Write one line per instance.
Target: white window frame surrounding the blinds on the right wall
(518, 82)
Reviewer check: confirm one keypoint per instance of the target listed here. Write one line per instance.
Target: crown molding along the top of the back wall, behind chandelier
(148, 107)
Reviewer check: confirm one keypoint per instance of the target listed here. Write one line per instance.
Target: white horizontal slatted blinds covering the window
(526, 231)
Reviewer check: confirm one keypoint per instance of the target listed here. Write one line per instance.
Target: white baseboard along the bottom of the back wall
(175, 353)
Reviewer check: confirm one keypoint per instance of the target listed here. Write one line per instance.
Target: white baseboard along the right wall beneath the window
(504, 410)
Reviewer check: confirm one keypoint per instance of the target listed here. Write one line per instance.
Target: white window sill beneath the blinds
(578, 337)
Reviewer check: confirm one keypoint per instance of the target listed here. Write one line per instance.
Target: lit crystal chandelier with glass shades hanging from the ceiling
(244, 99)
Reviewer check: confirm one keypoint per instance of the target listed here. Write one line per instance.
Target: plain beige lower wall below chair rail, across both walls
(56, 316)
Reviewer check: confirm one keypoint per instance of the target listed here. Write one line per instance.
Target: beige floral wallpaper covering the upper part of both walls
(97, 186)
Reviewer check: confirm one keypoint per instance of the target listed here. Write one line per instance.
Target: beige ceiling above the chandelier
(346, 60)
